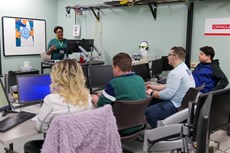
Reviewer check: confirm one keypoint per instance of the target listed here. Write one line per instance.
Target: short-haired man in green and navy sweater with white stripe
(125, 85)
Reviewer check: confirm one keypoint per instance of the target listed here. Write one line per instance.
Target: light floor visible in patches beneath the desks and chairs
(136, 147)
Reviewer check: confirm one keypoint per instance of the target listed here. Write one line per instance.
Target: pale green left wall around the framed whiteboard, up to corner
(41, 9)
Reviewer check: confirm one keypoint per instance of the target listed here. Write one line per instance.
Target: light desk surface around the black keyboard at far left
(24, 130)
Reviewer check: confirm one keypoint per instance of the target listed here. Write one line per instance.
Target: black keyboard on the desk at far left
(15, 120)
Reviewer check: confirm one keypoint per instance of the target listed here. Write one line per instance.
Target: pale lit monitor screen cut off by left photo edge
(4, 102)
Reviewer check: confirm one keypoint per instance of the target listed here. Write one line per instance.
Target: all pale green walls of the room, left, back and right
(122, 29)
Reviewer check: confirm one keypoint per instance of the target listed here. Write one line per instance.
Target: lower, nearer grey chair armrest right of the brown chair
(160, 133)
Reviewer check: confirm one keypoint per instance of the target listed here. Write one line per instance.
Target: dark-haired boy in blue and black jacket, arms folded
(208, 71)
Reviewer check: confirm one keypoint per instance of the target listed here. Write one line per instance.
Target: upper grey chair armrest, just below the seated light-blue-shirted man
(174, 119)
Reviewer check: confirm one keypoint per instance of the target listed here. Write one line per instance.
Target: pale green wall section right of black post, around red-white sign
(221, 44)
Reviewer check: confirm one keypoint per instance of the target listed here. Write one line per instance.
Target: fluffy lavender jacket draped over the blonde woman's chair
(91, 131)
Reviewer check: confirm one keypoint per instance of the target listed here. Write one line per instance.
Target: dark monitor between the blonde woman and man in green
(99, 76)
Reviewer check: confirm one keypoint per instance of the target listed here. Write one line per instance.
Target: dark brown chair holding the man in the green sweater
(130, 114)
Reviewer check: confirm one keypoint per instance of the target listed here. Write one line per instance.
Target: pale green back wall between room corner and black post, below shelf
(122, 29)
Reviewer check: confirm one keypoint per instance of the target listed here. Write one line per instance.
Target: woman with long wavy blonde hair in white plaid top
(68, 94)
